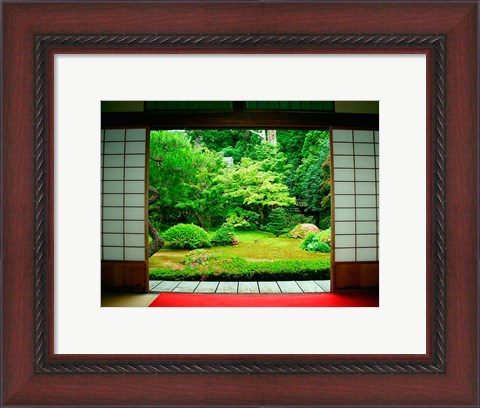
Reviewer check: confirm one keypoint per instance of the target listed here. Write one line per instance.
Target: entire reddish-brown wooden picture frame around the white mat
(33, 375)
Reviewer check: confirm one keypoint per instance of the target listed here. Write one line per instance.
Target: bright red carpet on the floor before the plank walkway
(285, 300)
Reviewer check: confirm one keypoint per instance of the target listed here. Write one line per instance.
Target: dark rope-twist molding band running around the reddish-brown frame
(42, 218)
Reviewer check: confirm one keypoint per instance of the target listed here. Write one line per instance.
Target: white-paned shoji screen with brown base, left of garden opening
(124, 211)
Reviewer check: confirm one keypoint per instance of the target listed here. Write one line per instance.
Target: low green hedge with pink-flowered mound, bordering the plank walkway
(207, 265)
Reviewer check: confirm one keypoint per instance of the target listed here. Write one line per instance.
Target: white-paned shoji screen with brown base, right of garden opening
(355, 175)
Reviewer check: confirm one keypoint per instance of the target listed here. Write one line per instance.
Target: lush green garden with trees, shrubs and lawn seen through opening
(239, 205)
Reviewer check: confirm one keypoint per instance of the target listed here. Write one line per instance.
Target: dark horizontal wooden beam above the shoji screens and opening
(236, 120)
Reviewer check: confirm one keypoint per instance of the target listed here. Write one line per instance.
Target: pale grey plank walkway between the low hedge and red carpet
(312, 286)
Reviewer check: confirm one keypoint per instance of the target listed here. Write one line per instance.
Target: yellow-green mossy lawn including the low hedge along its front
(258, 256)
